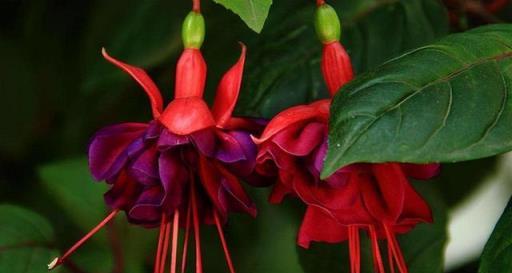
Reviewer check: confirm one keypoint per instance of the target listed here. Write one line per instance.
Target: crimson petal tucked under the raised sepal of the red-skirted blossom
(300, 140)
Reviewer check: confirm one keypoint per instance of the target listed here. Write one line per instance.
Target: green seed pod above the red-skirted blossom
(327, 24)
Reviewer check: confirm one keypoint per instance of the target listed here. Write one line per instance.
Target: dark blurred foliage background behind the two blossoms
(56, 91)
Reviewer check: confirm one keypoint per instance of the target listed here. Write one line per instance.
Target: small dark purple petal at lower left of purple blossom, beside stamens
(147, 208)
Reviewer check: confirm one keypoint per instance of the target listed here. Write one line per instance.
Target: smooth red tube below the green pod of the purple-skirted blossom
(190, 74)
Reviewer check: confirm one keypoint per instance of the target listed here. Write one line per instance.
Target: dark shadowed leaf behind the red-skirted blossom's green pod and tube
(283, 67)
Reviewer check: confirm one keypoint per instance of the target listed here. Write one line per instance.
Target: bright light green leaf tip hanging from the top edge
(253, 12)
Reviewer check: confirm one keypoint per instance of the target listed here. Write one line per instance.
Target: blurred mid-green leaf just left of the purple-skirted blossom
(73, 187)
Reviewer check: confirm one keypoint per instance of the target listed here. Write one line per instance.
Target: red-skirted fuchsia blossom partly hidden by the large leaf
(376, 198)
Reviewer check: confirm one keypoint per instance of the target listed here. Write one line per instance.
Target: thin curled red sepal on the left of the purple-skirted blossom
(155, 97)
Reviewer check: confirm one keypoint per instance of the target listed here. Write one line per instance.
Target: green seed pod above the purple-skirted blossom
(193, 30)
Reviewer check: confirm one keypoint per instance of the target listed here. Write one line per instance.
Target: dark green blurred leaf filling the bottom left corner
(26, 241)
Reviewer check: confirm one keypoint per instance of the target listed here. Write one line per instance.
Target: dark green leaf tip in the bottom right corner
(497, 254)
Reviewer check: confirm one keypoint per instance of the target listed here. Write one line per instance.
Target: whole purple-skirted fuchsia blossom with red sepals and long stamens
(181, 168)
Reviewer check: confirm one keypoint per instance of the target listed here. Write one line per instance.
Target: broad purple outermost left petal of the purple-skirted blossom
(107, 149)
